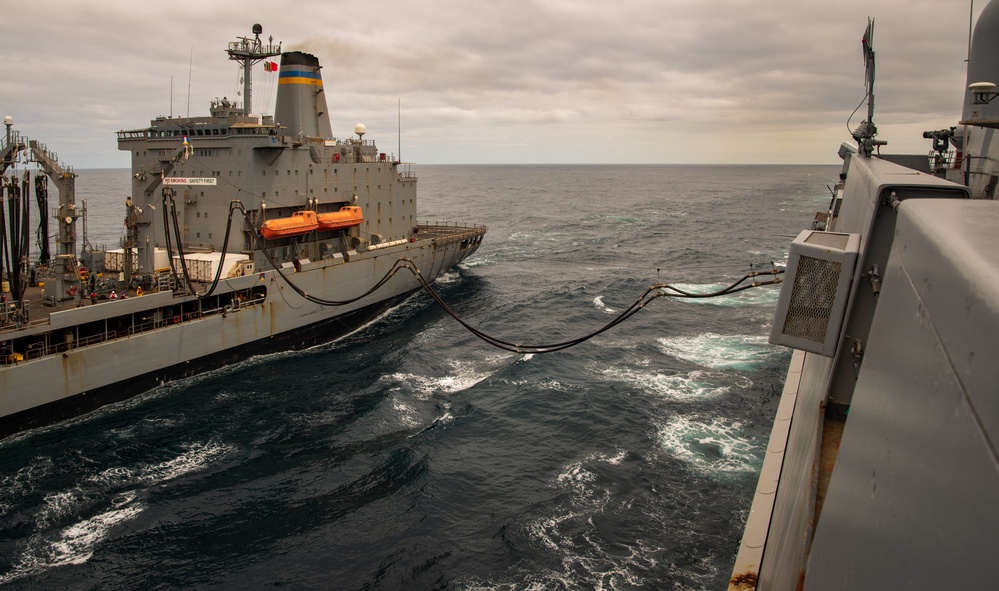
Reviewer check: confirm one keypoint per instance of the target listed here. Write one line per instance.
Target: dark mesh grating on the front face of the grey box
(815, 285)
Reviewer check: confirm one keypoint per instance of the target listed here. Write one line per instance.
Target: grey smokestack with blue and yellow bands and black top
(301, 102)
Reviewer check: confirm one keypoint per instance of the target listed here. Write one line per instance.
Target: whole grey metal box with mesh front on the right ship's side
(813, 297)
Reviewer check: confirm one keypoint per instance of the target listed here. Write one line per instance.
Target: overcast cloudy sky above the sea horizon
(519, 81)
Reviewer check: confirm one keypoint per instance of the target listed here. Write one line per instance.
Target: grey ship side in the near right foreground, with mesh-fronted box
(882, 470)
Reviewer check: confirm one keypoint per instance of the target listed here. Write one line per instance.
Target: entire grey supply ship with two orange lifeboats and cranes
(245, 233)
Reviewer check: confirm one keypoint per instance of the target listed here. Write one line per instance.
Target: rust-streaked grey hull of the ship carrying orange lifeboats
(58, 386)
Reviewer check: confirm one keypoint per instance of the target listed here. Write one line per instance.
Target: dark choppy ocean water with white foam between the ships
(412, 455)
